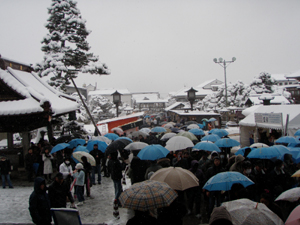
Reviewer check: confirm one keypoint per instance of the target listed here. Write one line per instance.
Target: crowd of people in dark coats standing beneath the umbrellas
(270, 179)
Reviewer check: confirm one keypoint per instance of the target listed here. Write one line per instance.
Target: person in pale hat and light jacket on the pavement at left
(79, 175)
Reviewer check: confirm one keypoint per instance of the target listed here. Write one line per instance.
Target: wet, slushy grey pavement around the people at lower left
(97, 210)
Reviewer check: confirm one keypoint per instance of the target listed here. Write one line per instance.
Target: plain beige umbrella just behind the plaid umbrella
(176, 177)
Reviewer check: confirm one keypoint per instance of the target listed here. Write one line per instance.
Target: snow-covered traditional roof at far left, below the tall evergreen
(35, 93)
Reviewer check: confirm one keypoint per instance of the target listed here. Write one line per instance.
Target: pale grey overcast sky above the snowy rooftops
(163, 45)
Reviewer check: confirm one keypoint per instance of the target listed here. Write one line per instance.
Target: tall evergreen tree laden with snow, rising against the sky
(65, 46)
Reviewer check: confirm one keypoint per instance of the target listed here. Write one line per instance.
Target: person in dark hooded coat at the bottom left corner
(39, 204)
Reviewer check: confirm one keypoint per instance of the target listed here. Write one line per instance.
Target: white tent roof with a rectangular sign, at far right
(292, 110)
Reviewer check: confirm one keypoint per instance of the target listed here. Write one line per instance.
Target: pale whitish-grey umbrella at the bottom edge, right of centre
(245, 211)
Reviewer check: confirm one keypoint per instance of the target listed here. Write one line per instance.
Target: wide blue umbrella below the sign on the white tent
(267, 153)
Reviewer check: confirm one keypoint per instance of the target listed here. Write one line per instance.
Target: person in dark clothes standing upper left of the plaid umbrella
(115, 170)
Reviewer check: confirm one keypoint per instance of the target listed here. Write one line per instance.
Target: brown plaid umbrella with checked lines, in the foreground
(147, 195)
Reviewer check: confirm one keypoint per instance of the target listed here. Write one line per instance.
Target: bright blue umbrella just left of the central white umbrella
(153, 152)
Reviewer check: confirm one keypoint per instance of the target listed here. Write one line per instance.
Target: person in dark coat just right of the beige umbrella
(194, 193)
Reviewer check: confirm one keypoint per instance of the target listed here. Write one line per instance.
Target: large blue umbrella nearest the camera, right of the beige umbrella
(224, 181)
